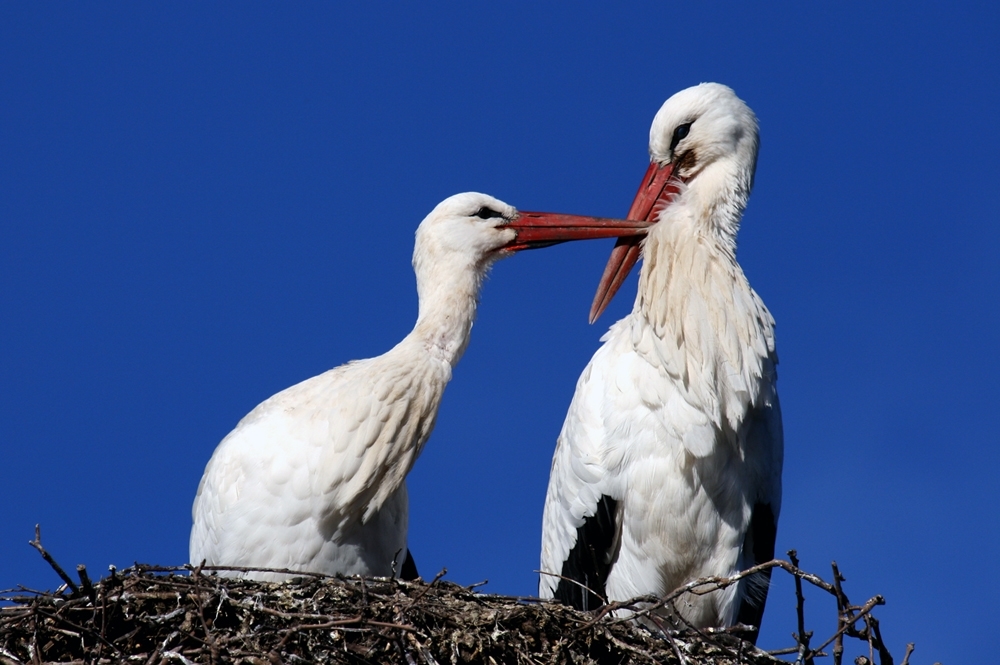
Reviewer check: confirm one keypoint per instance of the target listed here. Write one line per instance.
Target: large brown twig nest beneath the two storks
(154, 615)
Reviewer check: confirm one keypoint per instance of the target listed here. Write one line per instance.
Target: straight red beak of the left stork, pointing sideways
(541, 229)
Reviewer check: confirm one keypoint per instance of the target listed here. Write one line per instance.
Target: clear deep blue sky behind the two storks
(202, 204)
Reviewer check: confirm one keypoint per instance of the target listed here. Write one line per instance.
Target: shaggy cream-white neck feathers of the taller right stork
(695, 315)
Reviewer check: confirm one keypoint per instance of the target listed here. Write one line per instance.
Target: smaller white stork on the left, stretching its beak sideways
(313, 479)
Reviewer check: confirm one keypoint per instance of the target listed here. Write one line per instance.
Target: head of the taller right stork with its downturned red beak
(704, 138)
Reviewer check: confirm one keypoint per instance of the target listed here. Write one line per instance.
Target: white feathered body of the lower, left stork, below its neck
(313, 478)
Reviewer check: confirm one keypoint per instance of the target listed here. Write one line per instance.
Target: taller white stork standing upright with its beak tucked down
(668, 466)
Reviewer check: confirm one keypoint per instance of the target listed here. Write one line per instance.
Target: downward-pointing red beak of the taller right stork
(656, 186)
